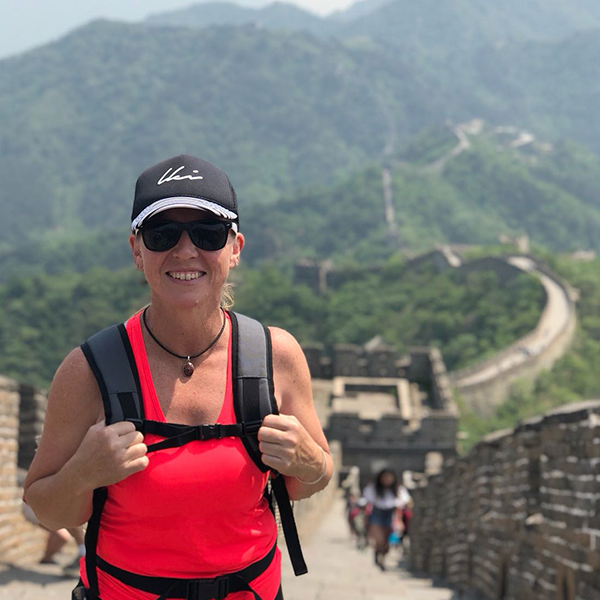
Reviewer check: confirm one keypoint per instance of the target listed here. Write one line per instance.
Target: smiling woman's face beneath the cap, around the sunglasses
(209, 269)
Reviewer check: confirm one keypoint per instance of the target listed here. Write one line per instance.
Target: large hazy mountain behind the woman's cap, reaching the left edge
(84, 116)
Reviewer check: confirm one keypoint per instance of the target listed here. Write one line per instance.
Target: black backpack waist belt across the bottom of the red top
(192, 589)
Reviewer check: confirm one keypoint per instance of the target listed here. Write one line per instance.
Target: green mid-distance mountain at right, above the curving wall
(488, 190)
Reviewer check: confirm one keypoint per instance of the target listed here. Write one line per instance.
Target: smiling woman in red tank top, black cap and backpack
(172, 475)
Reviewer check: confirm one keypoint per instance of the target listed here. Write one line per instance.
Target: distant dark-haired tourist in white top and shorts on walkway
(386, 498)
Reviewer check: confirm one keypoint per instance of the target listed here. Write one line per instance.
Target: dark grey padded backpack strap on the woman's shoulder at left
(111, 359)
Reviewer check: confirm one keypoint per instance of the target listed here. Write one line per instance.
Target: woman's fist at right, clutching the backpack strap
(287, 447)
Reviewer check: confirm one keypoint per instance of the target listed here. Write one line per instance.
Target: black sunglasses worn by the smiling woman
(160, 236)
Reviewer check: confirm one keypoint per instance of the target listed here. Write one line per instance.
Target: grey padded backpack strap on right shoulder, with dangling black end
(254, 399)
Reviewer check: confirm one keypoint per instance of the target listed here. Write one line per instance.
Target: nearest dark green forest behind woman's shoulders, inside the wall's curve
(467, 318)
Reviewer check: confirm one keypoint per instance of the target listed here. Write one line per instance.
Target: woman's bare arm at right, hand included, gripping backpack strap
(293, 442)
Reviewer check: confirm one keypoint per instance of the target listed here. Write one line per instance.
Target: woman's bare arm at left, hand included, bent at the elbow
(77, 451)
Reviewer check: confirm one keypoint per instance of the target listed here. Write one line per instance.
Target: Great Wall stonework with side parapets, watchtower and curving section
(515, 519)
